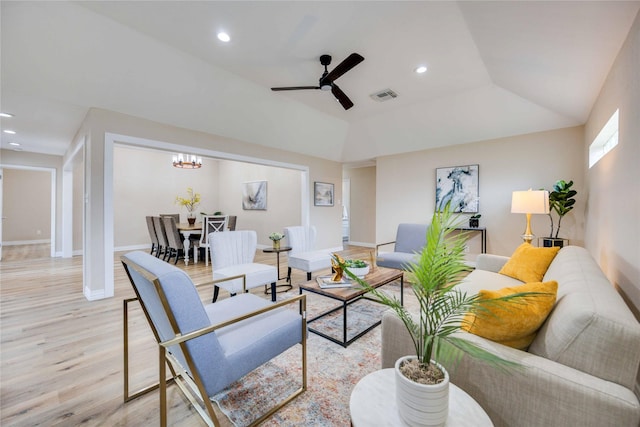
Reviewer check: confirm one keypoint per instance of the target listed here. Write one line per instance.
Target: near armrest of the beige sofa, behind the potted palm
(539, 393)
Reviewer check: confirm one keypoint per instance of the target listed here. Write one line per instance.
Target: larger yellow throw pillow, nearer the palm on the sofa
(513, 323)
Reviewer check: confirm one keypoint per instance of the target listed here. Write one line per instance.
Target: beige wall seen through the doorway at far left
(26, 206)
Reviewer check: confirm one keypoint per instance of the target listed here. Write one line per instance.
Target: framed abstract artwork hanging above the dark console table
(458, 185)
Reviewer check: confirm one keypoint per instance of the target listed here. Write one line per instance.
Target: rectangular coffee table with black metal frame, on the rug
(379, 276)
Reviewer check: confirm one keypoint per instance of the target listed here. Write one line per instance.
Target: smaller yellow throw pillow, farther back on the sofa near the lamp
(528, 263)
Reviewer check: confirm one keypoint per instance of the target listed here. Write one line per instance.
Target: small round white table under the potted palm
(373, 402)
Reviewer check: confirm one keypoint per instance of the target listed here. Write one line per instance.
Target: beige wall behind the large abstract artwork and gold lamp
(406, 184)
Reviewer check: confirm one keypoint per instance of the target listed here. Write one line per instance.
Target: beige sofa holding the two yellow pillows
(581, 368)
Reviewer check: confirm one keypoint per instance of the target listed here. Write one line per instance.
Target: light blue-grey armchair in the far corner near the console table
(410, 239)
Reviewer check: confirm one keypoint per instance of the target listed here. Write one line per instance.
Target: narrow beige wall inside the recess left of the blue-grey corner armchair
(362, 215)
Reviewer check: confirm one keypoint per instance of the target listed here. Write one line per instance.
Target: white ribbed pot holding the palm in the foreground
(422, 404)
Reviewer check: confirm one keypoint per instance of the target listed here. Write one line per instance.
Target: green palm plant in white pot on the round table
(421, 381)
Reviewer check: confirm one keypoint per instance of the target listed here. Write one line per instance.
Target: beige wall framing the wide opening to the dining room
(99, 123)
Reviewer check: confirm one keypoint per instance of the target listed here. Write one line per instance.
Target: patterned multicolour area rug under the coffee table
(332, 373)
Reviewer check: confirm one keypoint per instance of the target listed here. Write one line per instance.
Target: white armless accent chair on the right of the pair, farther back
(303, 255)
